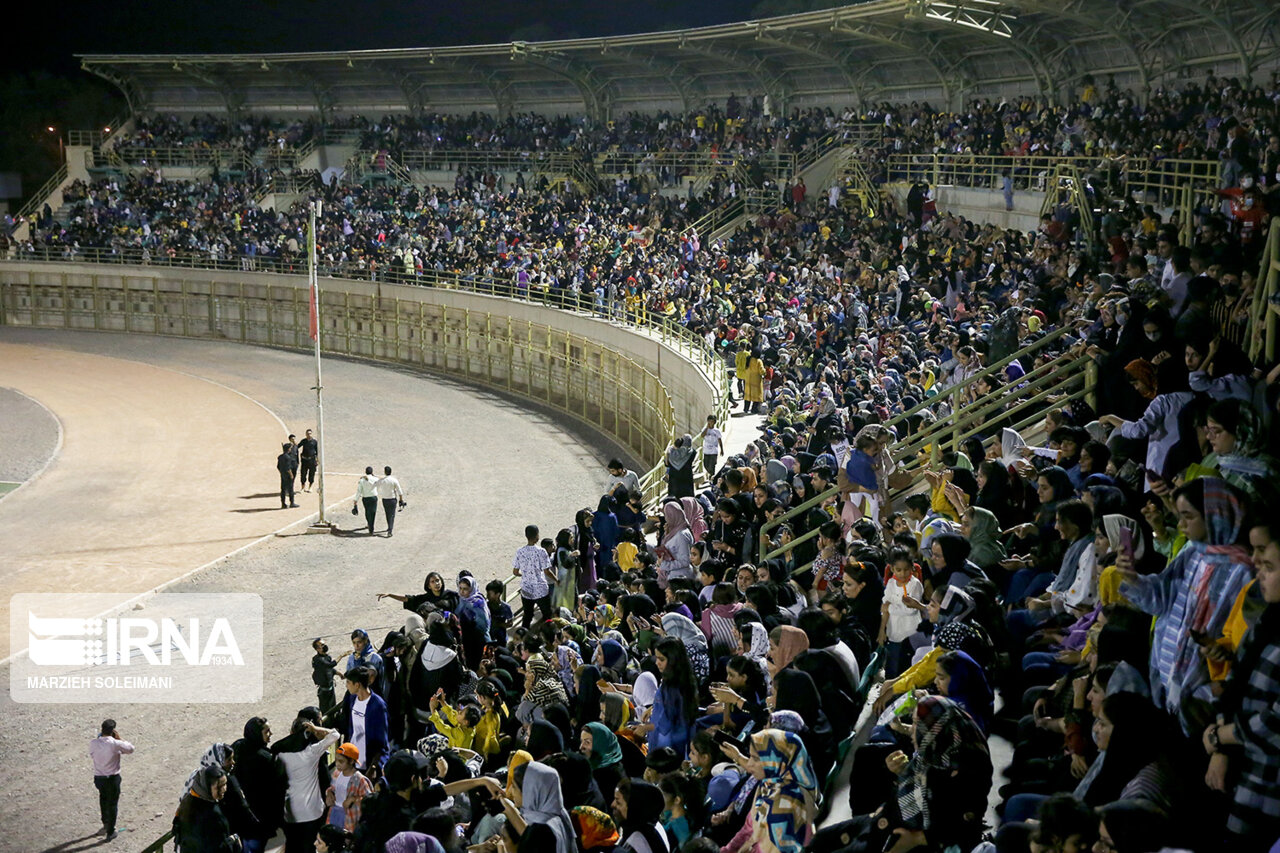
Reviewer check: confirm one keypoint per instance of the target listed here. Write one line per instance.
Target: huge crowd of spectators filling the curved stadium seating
(1104, 601)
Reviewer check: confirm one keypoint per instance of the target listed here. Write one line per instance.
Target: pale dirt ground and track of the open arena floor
(477, 467)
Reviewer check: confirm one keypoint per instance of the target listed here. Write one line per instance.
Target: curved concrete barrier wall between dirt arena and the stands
(627, 382)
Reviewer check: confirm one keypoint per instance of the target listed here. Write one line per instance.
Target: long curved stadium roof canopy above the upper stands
(941, 51)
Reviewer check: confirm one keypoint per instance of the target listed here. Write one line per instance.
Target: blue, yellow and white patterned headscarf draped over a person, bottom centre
(785, 799)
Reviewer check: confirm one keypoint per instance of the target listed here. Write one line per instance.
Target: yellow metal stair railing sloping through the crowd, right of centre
(1016, 405)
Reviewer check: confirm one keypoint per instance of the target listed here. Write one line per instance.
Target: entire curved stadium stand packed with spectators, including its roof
(1021, 475)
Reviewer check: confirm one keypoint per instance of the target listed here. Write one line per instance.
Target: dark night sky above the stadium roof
(263, 26)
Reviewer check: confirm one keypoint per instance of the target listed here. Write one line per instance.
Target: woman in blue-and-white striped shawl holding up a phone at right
(1194, 596)
